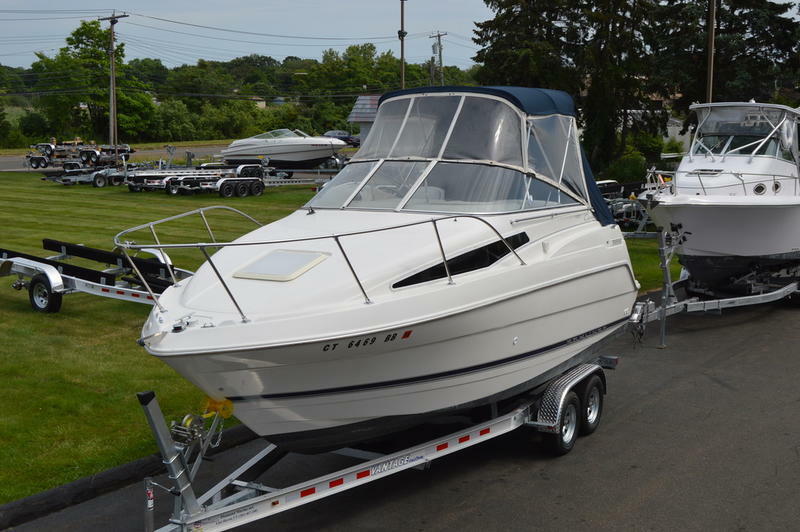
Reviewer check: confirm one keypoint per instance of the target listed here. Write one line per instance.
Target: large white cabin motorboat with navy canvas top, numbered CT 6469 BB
(463, 256)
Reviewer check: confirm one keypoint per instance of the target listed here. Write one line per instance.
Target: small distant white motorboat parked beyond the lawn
(285, 148)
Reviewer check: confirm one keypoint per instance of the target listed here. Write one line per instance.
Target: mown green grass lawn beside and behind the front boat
(70, 378)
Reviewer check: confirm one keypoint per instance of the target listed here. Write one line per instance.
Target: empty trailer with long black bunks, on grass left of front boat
(48, 279)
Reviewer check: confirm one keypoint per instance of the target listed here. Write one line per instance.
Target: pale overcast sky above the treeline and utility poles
(42, 25)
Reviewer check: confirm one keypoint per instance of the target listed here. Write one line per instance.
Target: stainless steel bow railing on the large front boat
(125, 245)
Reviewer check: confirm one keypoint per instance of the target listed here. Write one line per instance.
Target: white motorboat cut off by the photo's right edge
(735, 197)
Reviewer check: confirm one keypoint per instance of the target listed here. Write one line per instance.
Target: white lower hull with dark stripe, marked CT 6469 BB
(343, 393)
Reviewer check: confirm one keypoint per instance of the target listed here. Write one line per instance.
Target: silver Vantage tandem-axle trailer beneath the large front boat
(568, 404)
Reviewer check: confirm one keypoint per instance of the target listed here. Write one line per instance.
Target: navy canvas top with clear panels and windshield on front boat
(478, 150)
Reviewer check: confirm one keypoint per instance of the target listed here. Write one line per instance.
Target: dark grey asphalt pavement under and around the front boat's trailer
(702, 435)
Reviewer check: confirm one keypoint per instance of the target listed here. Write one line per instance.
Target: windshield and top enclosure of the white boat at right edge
(746, 130)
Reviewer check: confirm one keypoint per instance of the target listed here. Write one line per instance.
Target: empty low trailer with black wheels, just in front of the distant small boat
(228, 181)
